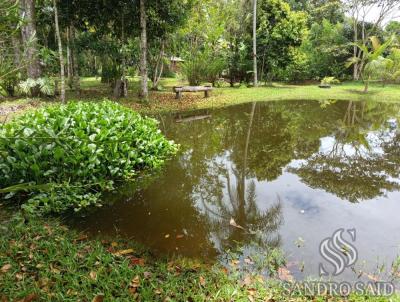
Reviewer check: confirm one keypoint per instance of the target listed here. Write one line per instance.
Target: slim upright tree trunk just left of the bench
(143, 52)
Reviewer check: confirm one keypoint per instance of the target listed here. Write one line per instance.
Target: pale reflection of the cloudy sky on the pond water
(312, 214)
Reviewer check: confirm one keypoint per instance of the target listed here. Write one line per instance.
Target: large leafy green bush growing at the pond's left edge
(64, 156)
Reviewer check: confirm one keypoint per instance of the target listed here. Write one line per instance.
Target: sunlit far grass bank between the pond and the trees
(164, 101)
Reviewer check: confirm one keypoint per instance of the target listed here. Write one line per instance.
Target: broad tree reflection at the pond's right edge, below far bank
(356, 163)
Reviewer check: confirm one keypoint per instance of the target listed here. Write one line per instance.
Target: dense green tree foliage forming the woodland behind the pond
(295, 41)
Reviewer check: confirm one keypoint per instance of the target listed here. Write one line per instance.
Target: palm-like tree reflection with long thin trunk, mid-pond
(239, 205)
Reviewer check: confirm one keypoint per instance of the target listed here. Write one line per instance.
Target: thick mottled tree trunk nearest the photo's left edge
(28, 32)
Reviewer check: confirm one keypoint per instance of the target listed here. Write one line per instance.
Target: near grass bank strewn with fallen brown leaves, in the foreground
(43, 260)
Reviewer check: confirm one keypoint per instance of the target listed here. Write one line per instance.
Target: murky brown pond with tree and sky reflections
(269, 175)
